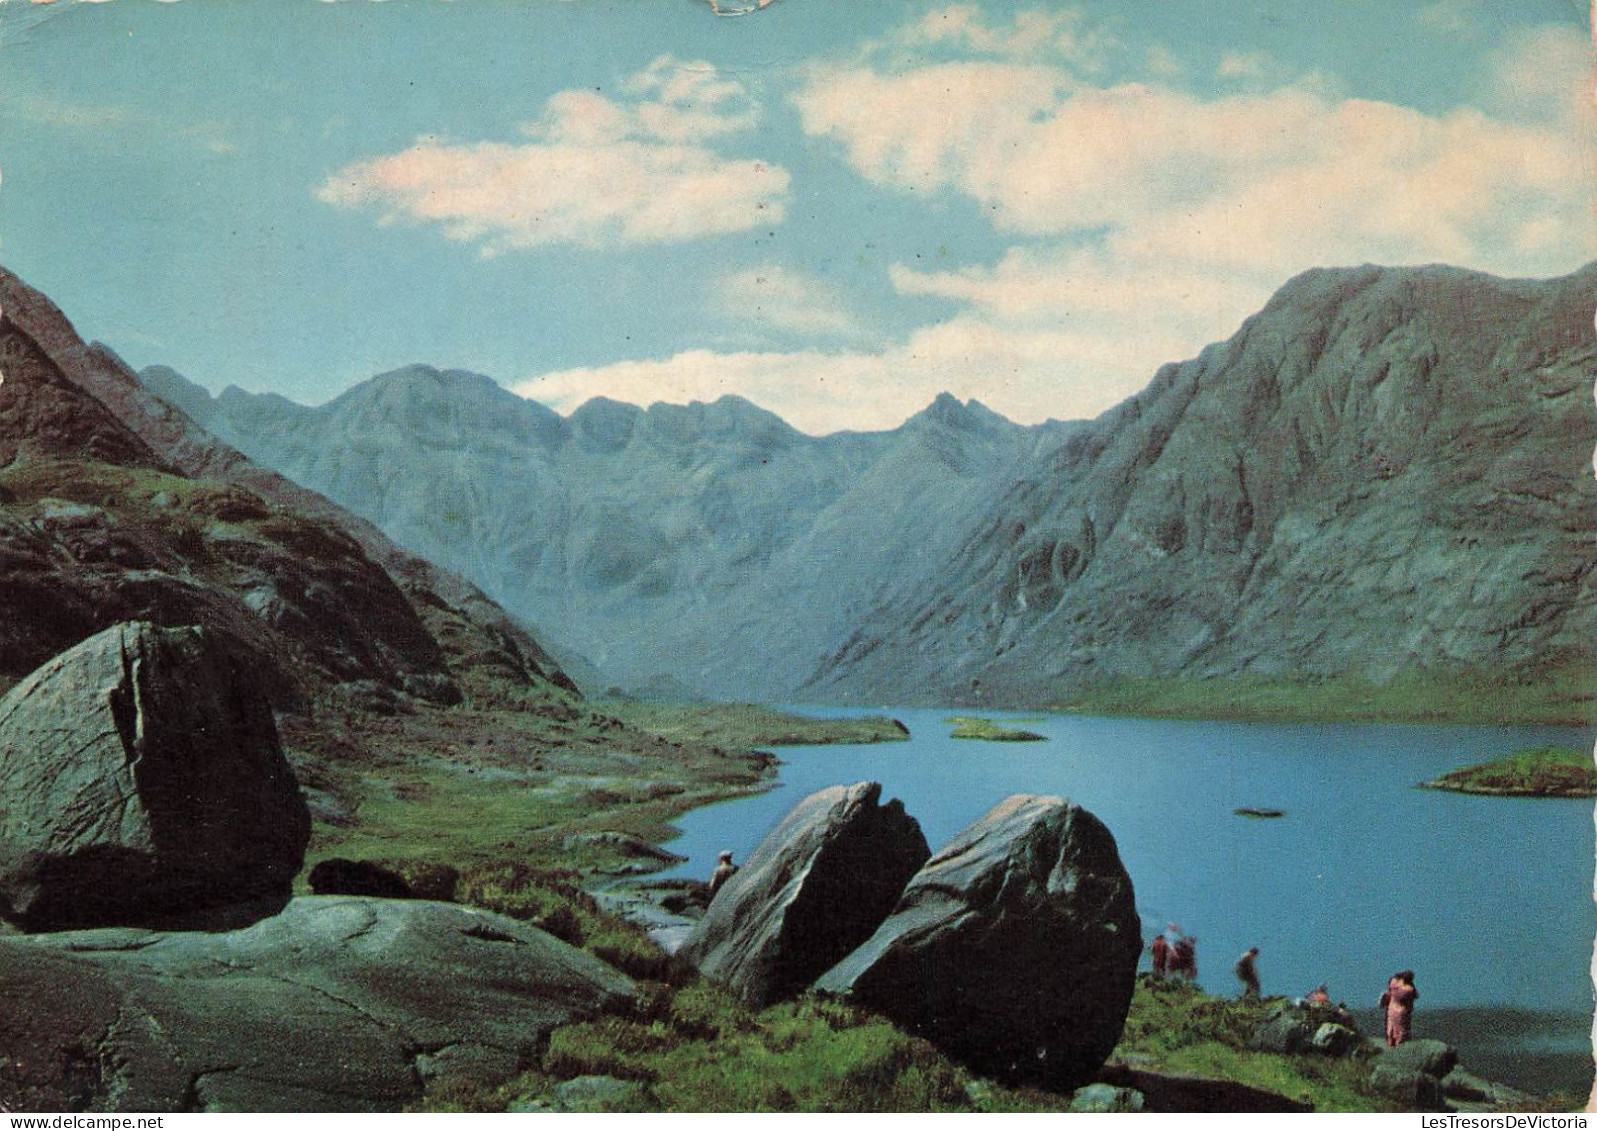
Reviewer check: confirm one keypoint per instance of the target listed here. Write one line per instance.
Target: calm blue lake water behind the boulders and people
(1488, 899)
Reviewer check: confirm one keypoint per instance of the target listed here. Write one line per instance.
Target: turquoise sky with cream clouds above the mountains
(833, 208)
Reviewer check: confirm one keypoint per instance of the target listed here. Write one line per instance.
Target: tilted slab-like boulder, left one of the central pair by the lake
(815, 889)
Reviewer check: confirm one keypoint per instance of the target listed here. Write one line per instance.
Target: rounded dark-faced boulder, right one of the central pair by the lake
(1013, 950)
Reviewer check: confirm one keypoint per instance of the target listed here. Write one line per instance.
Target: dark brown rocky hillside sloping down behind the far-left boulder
(114, 507)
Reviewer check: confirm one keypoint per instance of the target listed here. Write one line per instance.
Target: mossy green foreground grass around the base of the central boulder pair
(694, 1047)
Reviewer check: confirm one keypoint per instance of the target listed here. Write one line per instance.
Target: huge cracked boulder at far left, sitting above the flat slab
(143, 776)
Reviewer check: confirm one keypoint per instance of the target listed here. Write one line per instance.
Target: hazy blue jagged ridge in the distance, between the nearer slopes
(707, 547)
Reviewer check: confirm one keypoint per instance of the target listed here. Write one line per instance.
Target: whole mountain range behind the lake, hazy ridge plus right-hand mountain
(1385, 472)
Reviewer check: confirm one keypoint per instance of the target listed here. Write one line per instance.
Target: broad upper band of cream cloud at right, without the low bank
(1270, 181)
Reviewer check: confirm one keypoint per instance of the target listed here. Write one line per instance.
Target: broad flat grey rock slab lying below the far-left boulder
(336, 1004)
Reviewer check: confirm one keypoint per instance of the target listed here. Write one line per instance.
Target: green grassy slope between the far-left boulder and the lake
(469, 787)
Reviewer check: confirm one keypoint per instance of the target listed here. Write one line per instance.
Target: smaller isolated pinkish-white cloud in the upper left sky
(598, 172)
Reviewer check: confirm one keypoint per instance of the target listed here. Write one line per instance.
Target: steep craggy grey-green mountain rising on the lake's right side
(1382, 474)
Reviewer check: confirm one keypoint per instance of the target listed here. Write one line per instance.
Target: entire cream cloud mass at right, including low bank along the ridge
(1149, 223)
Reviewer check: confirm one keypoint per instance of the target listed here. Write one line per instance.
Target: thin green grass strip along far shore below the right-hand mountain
(1558, 694)
